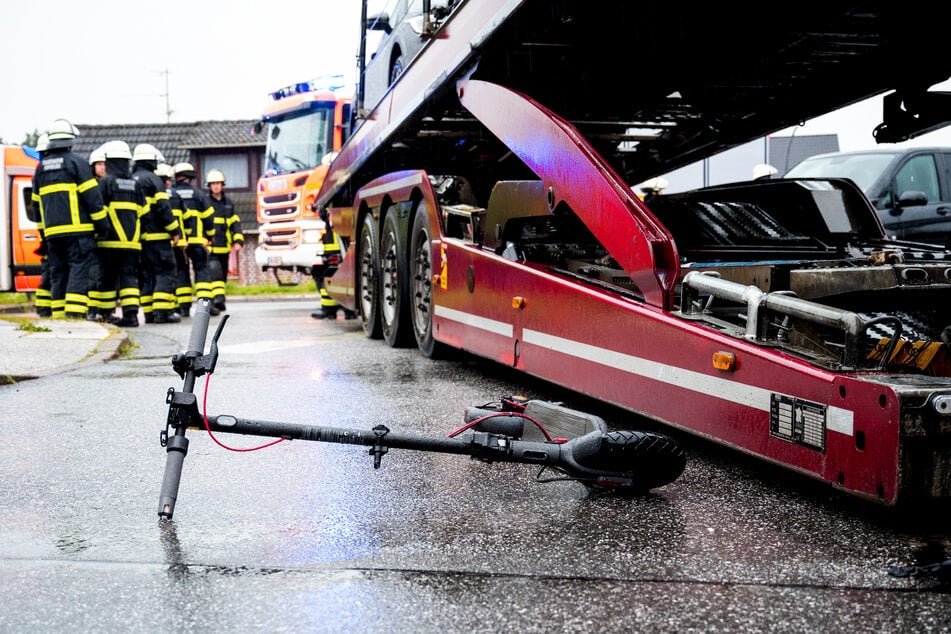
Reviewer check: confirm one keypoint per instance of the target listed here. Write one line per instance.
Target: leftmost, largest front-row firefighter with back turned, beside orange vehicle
(71, 215)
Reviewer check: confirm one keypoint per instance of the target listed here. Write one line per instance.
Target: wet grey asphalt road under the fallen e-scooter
(305, 536)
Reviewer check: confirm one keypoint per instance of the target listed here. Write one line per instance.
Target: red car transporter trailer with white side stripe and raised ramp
(486, 206)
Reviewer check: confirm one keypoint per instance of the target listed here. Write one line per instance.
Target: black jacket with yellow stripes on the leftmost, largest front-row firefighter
(67, 196)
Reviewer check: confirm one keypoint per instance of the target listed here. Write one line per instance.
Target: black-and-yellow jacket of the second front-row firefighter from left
(125, 205)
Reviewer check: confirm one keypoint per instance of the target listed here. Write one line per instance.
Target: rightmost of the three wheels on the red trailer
(421, 268)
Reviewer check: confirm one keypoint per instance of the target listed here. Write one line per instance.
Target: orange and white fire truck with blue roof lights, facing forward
(305, 123)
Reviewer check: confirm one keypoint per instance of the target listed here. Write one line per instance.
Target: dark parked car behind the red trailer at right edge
(909, 187)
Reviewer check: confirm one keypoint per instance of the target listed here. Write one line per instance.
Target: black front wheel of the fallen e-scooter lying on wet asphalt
(650, 459)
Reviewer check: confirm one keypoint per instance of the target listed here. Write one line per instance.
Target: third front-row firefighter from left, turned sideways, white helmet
(160, 234)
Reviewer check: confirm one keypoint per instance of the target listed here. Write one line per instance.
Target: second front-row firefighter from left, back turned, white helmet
(120, 248)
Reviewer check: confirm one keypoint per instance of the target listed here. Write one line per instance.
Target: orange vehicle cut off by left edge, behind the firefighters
(19, 265)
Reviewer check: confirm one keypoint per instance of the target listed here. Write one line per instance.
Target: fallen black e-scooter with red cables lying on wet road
(576, 445)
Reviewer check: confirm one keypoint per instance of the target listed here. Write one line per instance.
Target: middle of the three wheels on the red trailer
(394, 284)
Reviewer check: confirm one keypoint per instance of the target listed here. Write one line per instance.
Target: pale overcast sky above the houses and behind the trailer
(108, 62)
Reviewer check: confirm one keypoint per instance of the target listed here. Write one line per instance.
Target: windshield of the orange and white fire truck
(297, 141)
